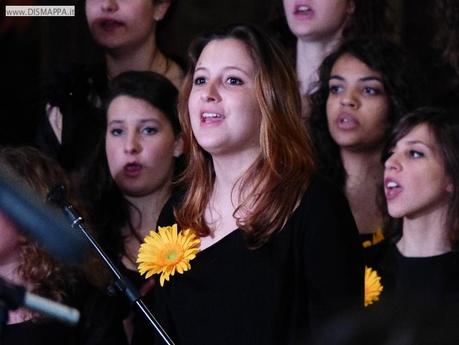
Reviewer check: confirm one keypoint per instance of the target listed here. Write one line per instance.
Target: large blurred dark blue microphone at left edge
(43, 223)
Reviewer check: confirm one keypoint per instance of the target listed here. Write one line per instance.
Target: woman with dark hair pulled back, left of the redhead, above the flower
(129, 184)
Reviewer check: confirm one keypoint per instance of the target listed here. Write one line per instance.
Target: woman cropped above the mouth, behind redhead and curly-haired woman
(320, 26)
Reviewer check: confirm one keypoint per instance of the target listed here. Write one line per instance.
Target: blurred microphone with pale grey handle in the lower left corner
(15, 296)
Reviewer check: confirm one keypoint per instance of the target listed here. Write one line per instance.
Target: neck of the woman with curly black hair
(362, 167)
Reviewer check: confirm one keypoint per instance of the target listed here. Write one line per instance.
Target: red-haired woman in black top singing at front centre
(279, 252)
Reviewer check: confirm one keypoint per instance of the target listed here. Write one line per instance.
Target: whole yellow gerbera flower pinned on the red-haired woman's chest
(166, 251)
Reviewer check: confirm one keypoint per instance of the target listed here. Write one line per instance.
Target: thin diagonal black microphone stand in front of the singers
(121, 282)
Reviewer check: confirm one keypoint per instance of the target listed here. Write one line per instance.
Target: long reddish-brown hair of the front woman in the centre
(283, 170)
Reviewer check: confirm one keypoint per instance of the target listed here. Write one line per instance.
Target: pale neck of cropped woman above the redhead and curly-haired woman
(309, 56)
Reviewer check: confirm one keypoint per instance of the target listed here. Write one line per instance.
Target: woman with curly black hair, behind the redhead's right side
(363, 88)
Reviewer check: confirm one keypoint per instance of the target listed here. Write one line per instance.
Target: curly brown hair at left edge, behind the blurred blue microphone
(45, 275)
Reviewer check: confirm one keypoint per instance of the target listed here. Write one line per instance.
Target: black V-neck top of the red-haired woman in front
(306, 273)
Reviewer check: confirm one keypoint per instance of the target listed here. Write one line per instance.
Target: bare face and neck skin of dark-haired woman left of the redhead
(140, 146)
